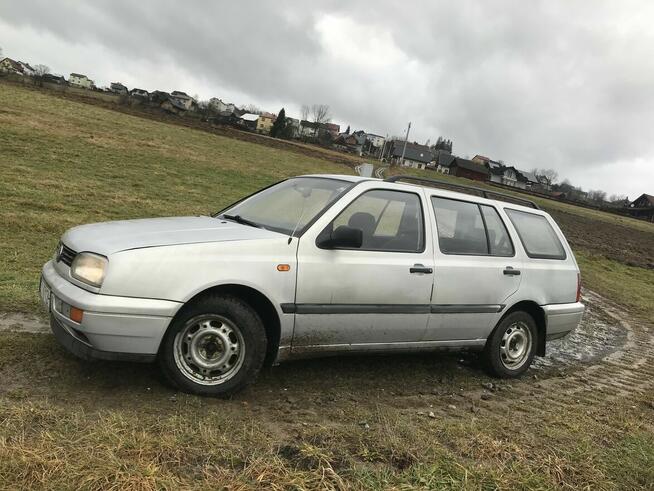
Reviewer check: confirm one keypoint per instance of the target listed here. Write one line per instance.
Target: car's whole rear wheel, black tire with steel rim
(512, 345)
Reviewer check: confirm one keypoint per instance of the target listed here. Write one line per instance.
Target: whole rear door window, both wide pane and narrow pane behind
(469, 228)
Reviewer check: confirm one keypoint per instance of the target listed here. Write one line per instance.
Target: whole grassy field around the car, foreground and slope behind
(350, 423)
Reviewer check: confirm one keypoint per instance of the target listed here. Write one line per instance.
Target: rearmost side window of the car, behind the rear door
(537, 235)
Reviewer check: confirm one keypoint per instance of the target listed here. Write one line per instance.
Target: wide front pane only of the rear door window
(460, 227)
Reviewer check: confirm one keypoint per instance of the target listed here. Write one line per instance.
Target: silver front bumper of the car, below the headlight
(112, 327)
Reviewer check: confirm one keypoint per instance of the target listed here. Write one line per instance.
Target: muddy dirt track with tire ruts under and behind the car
(609, 355)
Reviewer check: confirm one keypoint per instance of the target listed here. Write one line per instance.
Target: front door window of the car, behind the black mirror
(390, 221)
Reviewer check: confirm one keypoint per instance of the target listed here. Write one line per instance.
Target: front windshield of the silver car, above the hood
(288, 206)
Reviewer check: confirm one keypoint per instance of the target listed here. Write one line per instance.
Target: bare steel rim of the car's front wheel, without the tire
(209, 349)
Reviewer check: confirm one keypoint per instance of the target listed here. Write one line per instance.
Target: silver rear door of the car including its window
(476, 268)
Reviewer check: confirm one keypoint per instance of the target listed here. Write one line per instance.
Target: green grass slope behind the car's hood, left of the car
(66, 163)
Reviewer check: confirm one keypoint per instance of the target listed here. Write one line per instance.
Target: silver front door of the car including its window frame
(367, 297)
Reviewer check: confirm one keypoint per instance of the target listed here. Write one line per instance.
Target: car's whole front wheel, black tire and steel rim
(214, 347)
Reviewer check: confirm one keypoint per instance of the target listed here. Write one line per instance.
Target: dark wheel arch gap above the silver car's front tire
(259, 302)
